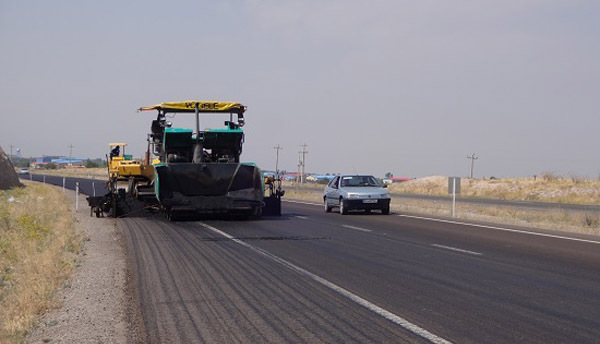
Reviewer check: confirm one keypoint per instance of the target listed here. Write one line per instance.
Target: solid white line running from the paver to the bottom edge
(357, 299)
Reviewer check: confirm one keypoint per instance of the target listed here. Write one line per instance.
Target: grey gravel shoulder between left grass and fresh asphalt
(97, 303)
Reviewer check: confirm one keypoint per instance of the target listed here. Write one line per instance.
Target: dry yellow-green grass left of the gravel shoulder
(38, 249)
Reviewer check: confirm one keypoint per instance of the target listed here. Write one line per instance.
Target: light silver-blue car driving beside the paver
(349, 192)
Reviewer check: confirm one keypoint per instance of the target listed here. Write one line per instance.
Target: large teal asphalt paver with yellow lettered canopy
(199, 171)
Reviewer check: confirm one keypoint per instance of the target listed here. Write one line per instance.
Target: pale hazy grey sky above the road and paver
(410, 87)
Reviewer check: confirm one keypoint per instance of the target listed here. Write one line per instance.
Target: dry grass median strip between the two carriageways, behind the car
(568, 221)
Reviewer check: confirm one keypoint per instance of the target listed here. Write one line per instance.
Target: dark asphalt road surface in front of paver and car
(311, 277)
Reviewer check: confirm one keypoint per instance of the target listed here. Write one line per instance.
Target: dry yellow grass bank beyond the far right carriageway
(547, 188)
